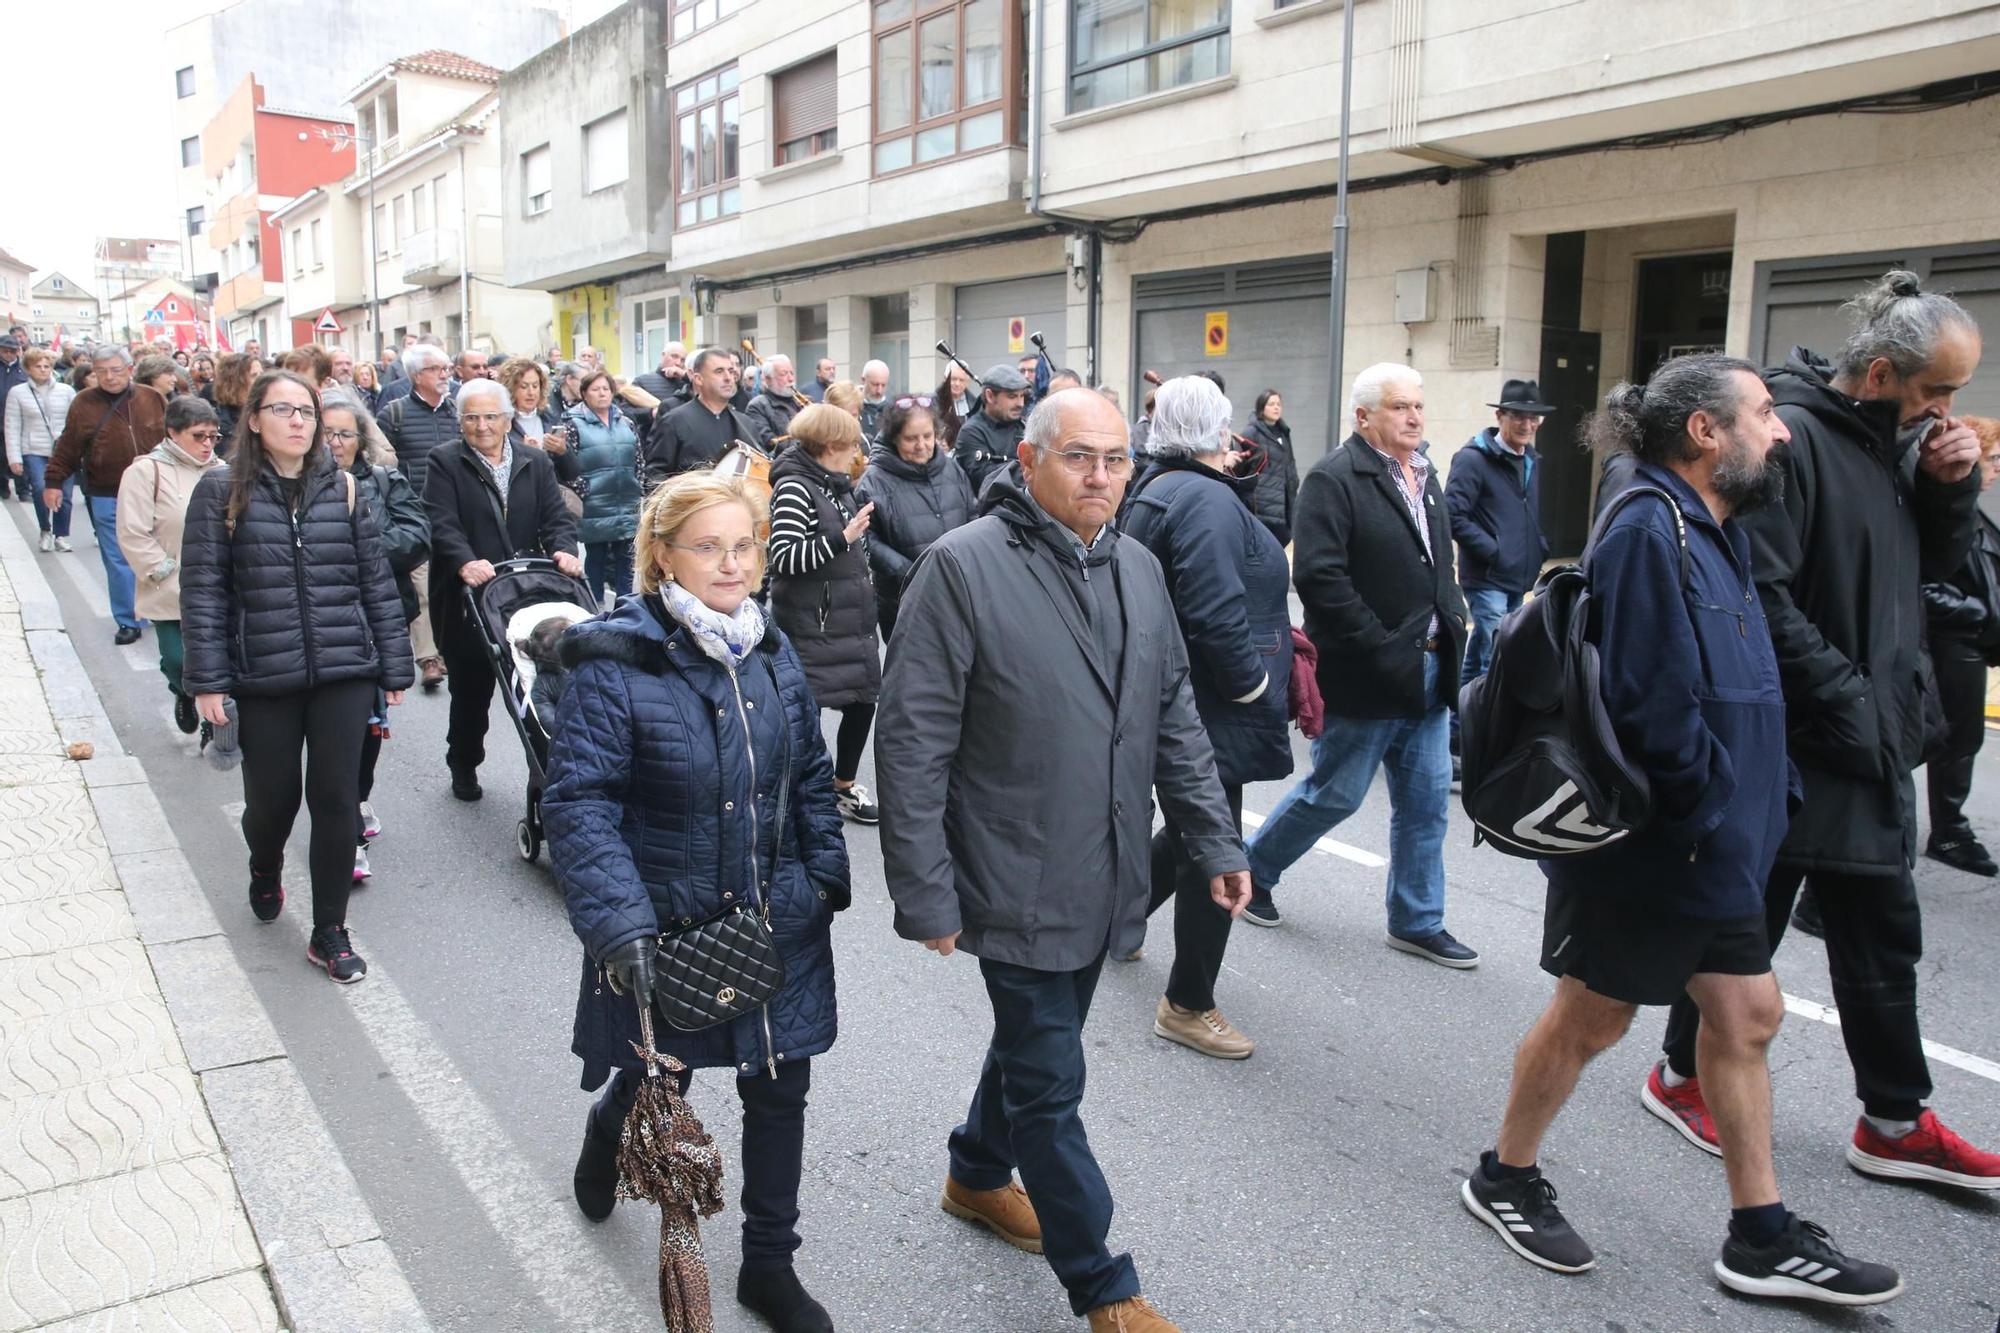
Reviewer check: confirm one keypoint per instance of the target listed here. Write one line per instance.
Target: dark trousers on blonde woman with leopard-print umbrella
(775, 1152)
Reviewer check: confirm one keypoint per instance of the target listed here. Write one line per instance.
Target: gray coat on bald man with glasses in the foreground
(1003, 750)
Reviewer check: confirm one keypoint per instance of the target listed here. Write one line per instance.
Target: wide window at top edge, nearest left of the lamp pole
(1127, 49)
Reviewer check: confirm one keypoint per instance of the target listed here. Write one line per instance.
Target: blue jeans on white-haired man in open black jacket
(1345, 760)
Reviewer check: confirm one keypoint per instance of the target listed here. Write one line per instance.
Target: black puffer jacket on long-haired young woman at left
(289, 601)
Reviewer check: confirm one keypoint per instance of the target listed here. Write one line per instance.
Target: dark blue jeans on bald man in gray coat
(1027, 1114)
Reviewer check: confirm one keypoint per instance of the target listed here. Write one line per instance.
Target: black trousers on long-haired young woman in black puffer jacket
(327, 724)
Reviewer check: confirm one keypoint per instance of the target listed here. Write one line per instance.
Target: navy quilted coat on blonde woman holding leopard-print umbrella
(649, 810)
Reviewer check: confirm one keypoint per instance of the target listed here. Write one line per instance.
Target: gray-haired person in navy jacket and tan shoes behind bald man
(1227, 577)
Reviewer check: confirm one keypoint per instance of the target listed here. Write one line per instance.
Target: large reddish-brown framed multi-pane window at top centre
(941, 79)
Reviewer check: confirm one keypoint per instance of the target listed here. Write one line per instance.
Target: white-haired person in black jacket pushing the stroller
(489, 503)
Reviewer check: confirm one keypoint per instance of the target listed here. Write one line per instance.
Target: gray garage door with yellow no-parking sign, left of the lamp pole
(1277, 337)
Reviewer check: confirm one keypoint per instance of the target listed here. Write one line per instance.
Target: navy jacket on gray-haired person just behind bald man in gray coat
(1229, 581)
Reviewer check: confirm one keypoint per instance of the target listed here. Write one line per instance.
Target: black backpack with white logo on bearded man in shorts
(1543, 768)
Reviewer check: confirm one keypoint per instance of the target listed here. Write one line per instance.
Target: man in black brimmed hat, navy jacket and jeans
(1497, 521)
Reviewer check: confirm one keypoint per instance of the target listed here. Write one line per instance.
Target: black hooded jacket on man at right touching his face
(1841, 567)
